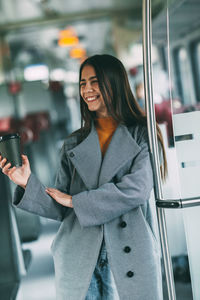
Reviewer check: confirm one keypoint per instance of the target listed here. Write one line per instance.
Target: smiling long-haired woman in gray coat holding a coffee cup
(106, 247)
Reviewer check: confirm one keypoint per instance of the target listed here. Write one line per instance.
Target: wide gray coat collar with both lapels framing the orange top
(87, 157)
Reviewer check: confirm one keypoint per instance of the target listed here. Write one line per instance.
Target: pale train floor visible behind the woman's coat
(39, 283)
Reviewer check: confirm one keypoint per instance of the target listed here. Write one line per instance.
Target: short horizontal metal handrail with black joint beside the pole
(178, 203)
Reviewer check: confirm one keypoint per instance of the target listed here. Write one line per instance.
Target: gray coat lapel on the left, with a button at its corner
(87, 158)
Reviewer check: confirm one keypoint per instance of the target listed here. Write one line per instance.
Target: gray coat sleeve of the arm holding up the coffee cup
(34, 198)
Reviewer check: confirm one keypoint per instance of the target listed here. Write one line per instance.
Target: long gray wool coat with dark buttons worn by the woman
(111, 200)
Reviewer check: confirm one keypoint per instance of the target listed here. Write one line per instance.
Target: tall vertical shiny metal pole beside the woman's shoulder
(152, 132)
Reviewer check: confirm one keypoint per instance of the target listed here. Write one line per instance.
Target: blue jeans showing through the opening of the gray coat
(102, 285)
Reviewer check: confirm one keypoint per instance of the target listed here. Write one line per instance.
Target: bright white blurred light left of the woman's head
(36, 72)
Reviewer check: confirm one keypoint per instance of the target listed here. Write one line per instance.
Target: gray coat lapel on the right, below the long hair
(122, 149)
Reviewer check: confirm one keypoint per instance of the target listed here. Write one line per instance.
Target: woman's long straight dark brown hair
(118, 97)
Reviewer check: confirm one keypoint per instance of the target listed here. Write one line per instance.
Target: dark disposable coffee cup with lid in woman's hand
(10, 149)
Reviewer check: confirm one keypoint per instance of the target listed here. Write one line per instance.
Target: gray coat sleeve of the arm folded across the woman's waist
(111, 200)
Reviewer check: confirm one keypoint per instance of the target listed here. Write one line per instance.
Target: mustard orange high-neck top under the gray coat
(105, 128)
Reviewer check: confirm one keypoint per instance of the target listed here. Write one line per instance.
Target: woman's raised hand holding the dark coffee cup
(19, 175)
